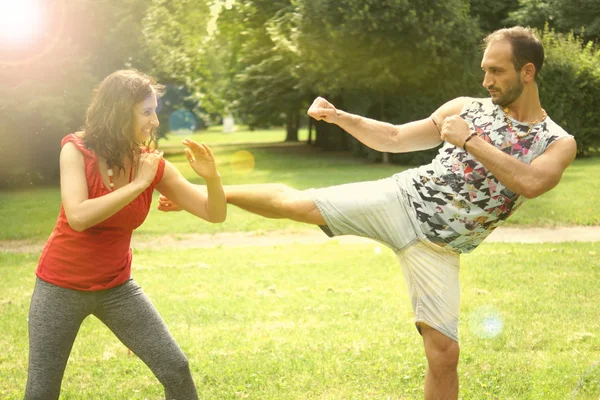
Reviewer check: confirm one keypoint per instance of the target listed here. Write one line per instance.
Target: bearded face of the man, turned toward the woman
(502, 81)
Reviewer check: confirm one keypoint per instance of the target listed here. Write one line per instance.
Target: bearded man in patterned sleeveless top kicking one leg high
(498, 152)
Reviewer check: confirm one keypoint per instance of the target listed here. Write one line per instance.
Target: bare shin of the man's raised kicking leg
(275, 201)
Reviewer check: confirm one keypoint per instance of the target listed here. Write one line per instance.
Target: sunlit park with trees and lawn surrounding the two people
(301, 321)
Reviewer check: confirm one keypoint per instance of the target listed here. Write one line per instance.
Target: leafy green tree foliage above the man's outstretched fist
(361, 52)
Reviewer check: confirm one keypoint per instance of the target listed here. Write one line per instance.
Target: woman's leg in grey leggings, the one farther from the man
(55, 315)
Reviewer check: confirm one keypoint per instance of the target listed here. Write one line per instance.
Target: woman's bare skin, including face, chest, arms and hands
(83, 212)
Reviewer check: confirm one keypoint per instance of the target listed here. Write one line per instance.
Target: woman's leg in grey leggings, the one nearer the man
(128, 312)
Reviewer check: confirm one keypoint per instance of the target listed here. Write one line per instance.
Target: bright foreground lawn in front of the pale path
(333, 322)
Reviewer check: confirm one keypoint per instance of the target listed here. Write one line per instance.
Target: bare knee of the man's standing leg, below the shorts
(441, 351)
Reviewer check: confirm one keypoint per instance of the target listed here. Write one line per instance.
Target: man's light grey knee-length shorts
(380, 211)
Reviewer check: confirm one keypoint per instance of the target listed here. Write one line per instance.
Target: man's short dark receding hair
(527, 47)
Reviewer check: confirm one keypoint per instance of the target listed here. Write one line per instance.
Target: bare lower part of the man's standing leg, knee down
(441, 380)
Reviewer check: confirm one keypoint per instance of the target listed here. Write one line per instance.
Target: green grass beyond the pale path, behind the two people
(32, 213)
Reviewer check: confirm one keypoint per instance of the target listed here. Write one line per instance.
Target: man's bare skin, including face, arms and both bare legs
(517, 90)
